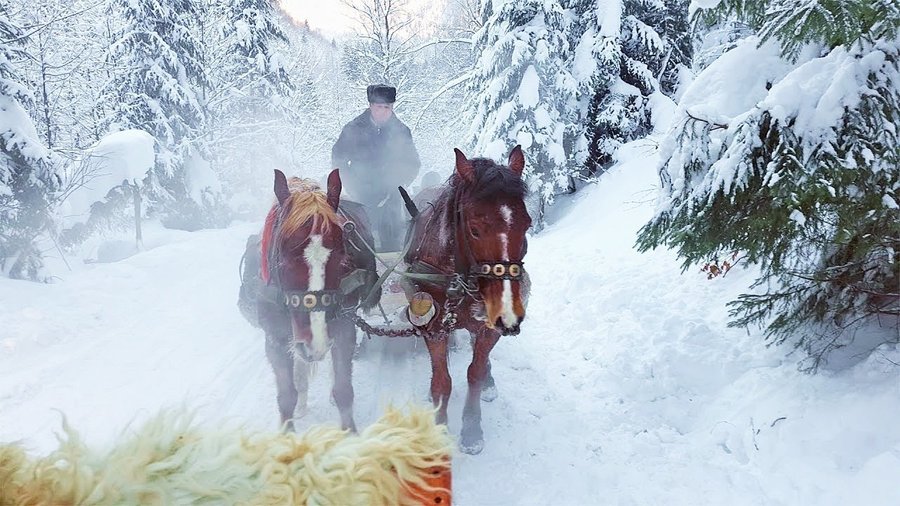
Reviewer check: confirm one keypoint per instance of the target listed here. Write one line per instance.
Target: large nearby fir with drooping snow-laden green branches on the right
(785, 155)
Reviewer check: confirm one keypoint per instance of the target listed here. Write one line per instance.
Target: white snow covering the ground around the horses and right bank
(625, 386)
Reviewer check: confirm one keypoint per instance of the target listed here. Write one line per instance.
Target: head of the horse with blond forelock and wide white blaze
(308, 257)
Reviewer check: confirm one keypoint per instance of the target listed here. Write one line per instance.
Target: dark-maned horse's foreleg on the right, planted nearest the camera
(472, 437)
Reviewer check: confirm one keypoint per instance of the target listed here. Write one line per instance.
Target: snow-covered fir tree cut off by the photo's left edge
(28, 180)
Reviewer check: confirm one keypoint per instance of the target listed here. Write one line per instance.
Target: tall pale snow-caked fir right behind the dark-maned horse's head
(521, 90)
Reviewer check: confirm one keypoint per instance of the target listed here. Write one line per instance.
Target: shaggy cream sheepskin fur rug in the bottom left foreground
(172, 461)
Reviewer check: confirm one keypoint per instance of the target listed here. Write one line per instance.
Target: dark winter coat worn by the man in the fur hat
(375, 160)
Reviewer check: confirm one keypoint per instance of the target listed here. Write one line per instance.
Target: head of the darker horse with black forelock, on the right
(491, 224)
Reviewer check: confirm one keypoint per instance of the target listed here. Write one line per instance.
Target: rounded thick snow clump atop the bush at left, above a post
(120, 156)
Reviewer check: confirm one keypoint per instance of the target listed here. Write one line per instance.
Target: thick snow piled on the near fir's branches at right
(724, 107)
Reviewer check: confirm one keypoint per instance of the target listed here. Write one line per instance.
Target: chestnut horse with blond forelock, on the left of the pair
(302, 304)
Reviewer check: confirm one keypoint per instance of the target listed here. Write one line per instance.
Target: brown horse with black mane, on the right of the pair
(472, 236)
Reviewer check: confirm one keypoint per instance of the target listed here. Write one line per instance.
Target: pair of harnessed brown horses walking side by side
(466, 252)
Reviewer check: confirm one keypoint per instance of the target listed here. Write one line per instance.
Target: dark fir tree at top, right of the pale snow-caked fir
(626, 50)
